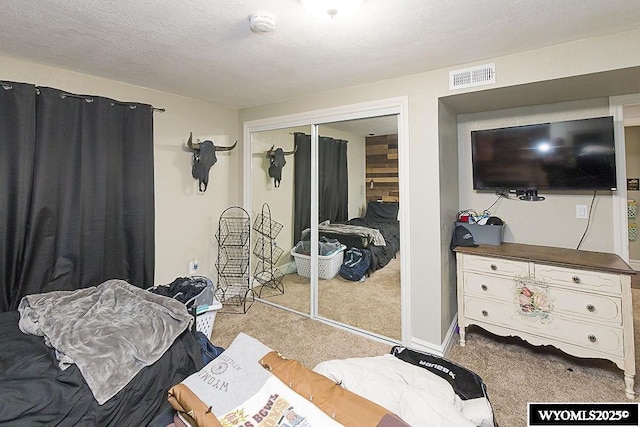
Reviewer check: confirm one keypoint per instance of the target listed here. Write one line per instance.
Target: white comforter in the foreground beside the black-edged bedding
(419, 397)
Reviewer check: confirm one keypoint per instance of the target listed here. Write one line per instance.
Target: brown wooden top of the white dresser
(563, 257)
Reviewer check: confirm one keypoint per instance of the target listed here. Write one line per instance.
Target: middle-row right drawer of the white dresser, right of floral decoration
(590, 307)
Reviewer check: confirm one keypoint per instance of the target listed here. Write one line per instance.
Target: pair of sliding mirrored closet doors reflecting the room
(337, 198)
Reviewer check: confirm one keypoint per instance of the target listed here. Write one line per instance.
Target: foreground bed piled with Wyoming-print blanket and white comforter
(250, 384)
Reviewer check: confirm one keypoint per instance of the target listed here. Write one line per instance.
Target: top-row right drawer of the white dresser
(578, 279)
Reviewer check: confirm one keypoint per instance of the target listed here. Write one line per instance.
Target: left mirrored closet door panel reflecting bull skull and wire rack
(273, 206)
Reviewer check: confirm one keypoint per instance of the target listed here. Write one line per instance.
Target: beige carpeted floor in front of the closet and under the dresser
(515, 372)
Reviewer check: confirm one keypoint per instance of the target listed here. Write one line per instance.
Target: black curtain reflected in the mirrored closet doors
(333, 182)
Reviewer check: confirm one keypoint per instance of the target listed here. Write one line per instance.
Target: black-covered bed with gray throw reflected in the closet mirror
(378, 231)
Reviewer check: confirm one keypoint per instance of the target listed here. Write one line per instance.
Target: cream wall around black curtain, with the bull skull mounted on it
(184, 219)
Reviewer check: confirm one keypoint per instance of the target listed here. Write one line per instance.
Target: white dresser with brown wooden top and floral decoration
(577, 301)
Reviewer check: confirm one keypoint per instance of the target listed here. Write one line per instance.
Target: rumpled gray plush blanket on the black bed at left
(110, 331)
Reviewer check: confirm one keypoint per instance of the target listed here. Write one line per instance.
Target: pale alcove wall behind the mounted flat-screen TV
(551, 222)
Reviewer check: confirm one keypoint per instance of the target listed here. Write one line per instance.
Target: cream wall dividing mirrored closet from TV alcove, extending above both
(432, 283)
